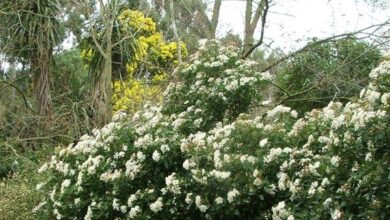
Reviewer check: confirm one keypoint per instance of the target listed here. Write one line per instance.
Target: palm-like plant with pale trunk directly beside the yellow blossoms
(111, 46)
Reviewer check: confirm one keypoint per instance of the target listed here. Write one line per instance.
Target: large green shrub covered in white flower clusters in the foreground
(164, 164)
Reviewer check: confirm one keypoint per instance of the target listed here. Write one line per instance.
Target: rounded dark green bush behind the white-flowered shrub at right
(335, 70)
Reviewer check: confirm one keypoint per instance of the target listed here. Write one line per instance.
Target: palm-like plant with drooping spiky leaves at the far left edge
(30, 31)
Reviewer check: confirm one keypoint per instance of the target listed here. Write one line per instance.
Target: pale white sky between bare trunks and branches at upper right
(291, 22)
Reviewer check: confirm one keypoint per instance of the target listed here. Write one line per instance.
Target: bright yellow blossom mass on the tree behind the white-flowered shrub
(154, 54)
